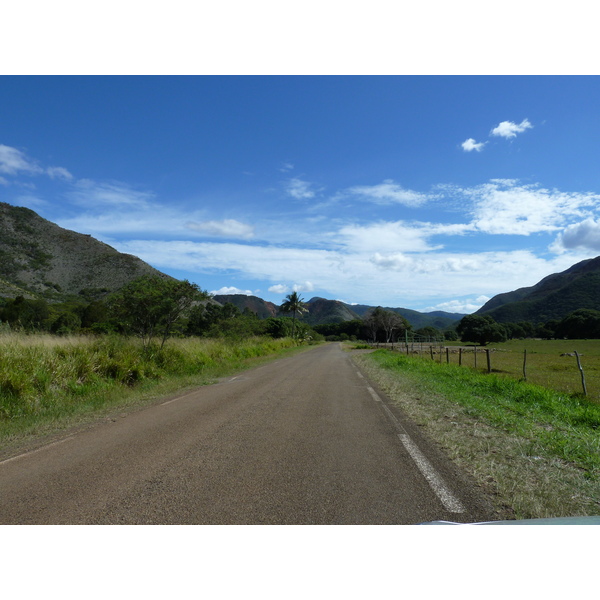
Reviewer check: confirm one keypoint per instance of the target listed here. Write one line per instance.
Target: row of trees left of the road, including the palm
(153, 308)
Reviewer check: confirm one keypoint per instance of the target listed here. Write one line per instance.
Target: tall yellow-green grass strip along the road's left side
(49, 382)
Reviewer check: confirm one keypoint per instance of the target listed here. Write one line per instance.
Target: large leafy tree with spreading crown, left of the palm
(151, 305)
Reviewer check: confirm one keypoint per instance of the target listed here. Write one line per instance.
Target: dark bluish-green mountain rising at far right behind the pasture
(554, 297)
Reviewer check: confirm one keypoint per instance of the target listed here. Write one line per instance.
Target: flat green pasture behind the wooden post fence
(544, 364)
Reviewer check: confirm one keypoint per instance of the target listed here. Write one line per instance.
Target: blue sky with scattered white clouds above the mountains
(426, 192)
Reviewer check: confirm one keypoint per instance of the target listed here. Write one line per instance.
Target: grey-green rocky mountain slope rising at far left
(40, 259)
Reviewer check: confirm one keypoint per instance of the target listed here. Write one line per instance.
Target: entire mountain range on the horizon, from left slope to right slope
(39, 259)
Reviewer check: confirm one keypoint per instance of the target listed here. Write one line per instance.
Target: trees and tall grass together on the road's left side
(156, 335)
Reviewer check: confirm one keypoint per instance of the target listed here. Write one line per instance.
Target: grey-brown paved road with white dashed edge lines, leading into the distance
(302, 440)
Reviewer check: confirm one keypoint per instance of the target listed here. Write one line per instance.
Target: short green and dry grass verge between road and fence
(535, 450)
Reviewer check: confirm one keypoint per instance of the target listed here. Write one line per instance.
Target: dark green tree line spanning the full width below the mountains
(154, 307)
